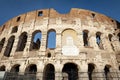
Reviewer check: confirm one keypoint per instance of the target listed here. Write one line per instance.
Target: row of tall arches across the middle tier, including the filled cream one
(51, 40)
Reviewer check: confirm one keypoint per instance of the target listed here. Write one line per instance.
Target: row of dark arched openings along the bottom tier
(69, 71)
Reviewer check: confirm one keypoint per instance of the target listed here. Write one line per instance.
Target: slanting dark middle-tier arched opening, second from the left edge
(9, 46)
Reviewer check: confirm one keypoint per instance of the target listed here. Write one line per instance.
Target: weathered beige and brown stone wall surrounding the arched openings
(73, 23)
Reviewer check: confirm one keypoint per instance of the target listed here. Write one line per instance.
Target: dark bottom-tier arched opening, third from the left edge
(31, 71)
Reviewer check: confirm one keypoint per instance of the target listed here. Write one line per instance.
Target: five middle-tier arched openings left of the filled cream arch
(35, 41)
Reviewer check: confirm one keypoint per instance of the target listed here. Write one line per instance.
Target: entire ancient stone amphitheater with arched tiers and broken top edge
(47, 45)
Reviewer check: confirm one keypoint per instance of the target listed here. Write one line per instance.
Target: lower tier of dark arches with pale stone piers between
(66, 71)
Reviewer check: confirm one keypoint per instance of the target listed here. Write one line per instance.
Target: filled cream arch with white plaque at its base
(69, 42)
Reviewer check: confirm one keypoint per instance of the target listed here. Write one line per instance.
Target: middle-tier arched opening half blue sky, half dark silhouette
(36, 40)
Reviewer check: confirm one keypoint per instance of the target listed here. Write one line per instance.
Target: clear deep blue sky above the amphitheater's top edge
(12, 8)
